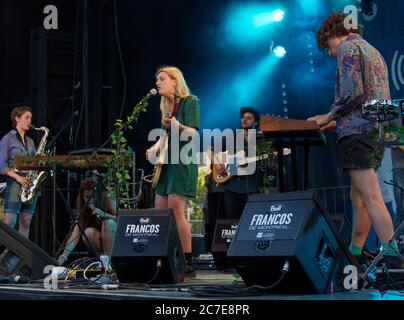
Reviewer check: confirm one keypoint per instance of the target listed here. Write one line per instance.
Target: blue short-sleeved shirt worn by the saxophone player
(10, 146)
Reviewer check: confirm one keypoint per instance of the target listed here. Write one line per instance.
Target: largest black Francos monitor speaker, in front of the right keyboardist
(294, 227)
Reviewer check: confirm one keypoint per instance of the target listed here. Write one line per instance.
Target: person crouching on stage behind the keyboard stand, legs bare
(96, 220)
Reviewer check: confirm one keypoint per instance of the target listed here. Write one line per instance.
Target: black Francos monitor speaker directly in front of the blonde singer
(143, 237)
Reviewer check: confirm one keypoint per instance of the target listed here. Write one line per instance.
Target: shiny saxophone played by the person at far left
(35, 177)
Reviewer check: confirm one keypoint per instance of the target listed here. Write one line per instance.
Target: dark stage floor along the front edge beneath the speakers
(37, 291)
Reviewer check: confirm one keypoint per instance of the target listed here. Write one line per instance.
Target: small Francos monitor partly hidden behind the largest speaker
(225, 230)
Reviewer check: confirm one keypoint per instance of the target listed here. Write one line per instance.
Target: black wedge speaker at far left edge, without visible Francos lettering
(20, 256)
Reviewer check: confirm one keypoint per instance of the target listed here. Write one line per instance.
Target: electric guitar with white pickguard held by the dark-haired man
(237, 165)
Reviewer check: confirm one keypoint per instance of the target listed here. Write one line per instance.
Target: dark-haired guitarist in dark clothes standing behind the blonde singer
(238, 189)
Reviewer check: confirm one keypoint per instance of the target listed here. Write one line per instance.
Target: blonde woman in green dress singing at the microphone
(179, 109)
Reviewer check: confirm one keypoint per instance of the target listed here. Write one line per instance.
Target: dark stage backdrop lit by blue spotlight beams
(78, 66)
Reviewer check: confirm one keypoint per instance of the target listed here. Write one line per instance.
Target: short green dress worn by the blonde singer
(182, 179)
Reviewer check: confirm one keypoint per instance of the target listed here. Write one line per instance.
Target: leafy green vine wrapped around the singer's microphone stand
(117, 178)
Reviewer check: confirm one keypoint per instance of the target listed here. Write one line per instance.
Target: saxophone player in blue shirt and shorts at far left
(16, 143)
